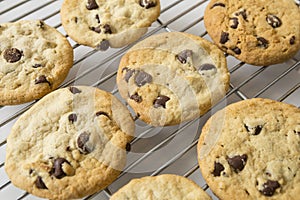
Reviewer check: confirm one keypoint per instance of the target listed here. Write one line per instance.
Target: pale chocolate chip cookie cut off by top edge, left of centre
(104, 23)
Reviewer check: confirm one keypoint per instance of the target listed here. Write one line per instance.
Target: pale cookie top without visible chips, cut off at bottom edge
(166, 186)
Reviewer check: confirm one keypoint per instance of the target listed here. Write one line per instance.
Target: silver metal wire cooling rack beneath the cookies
(154, 150)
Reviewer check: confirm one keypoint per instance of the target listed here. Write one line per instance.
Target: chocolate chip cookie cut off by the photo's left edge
(34, 60)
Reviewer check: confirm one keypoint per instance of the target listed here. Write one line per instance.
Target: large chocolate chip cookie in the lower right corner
(250, 150)
